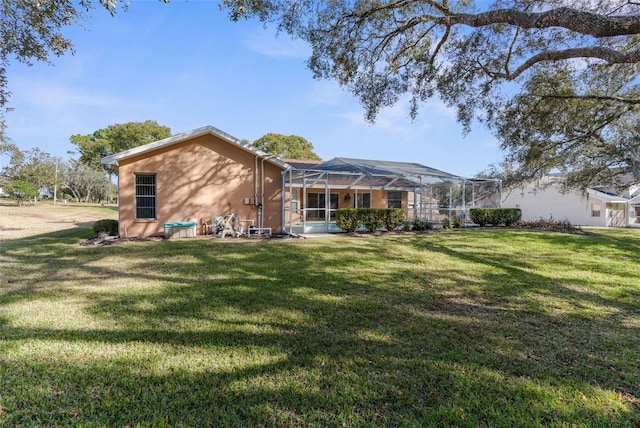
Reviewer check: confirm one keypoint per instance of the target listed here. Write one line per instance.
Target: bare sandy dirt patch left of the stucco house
(30, 220)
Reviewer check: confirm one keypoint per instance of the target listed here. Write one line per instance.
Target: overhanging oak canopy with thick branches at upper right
(556, 80)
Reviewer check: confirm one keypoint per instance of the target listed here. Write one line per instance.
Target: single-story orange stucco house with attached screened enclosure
(197, 175)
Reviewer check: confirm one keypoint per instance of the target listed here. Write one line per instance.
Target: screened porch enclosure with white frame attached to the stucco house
(312, 193)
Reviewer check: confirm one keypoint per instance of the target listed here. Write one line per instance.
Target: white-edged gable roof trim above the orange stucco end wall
(178, 138)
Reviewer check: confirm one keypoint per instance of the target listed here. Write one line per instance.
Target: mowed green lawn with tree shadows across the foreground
(475, 328)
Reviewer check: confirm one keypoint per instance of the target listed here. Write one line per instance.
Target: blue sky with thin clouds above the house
(186, 65)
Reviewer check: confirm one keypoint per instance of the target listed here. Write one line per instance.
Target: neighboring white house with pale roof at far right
(547, 199)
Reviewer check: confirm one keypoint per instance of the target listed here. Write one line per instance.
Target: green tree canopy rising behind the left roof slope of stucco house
(116, 138)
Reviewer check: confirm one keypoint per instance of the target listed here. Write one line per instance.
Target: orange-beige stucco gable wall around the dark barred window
(196, 180)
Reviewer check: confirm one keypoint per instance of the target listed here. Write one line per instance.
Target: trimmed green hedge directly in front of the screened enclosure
(350, 219)
